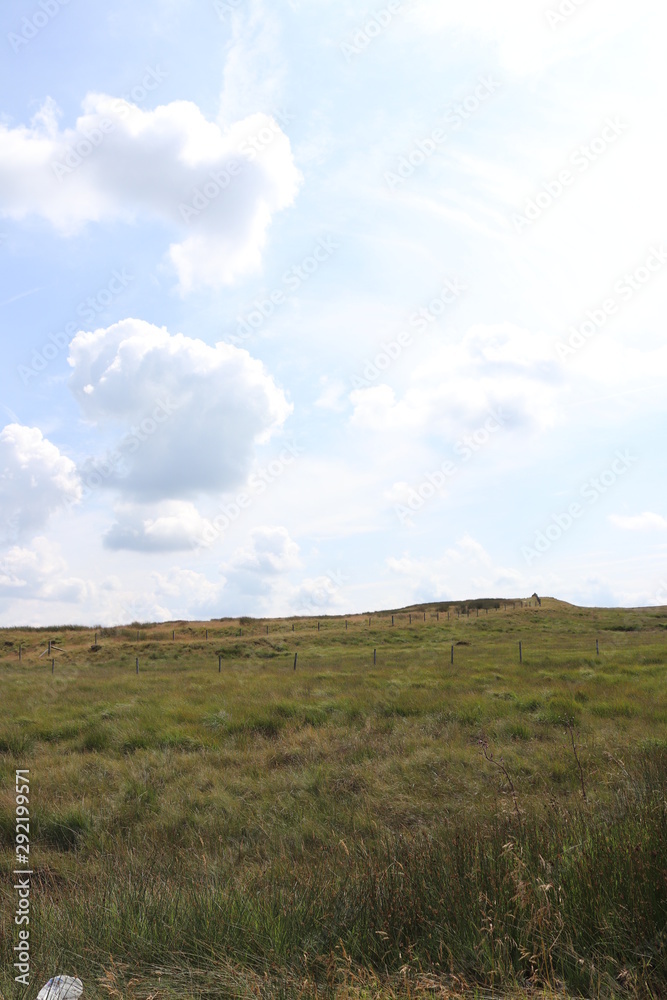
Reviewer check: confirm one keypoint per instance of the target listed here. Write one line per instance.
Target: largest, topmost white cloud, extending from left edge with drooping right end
(218, 188)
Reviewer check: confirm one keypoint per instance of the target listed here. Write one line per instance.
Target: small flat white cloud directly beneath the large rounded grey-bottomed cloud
(171, 526)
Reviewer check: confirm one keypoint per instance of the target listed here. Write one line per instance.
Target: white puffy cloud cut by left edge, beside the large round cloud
(35, 480)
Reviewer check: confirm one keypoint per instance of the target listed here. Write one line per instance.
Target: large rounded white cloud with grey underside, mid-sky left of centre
(194, 412)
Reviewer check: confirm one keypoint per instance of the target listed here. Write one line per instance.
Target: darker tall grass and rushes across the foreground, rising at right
(578, 902)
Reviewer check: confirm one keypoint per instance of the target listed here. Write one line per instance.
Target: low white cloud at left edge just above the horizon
(39, 572)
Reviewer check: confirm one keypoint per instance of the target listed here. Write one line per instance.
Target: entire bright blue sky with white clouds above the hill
(313, 307)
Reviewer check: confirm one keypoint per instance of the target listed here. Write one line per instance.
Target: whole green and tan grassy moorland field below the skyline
(223, 824)
